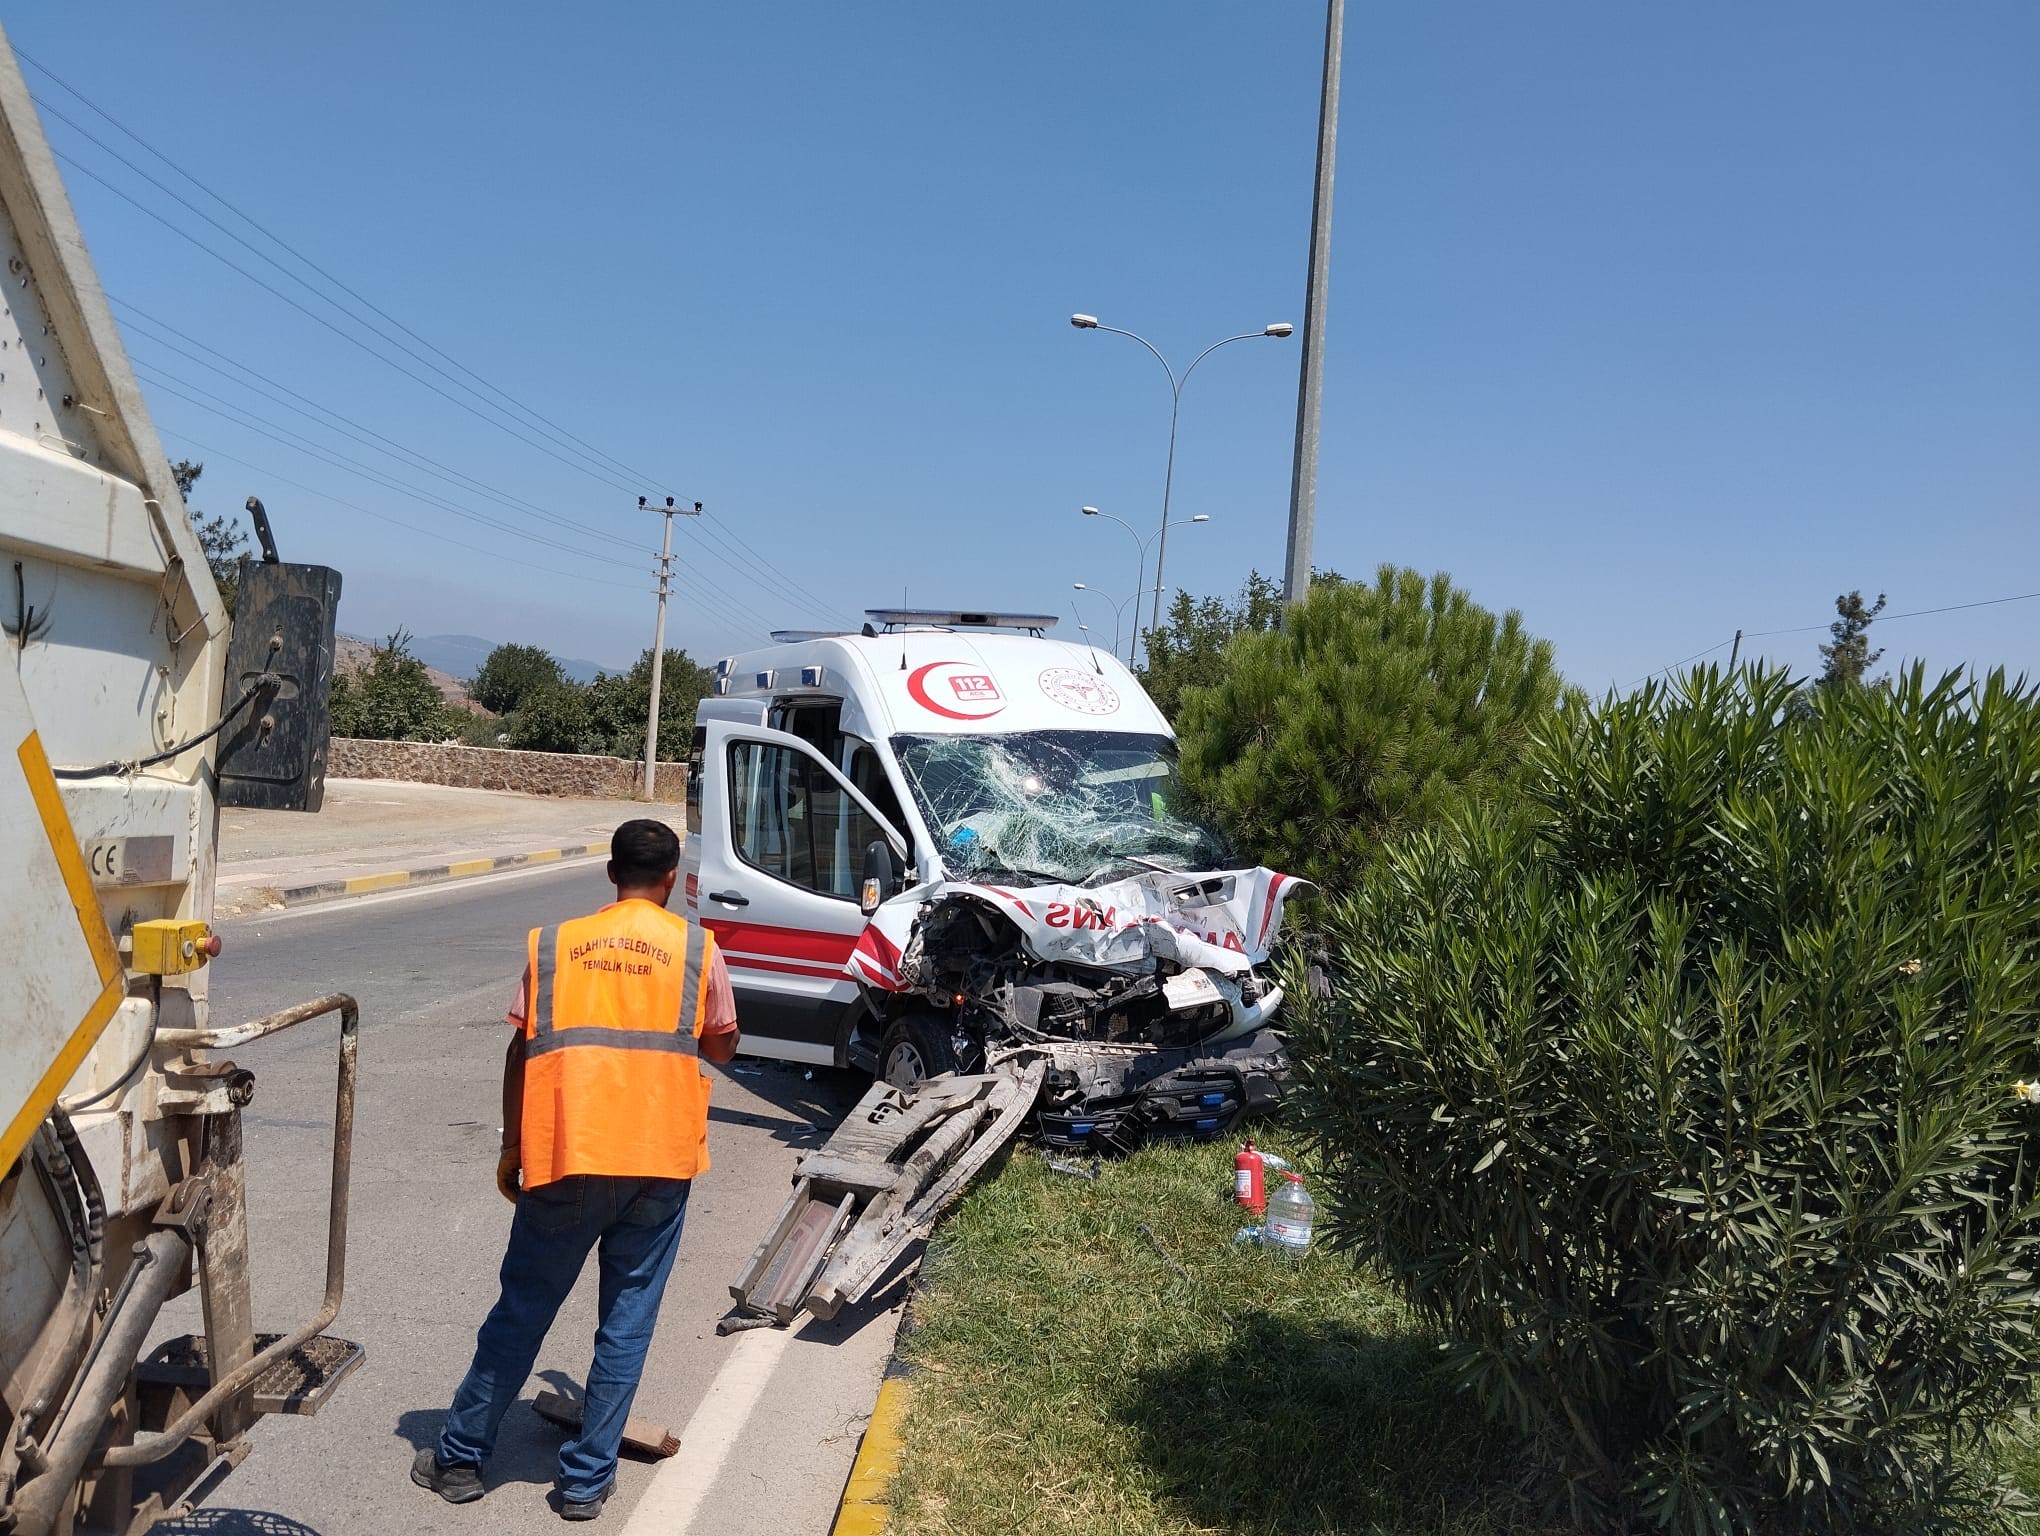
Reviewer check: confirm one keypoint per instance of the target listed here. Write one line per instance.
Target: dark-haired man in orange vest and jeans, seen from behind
(607, 1119)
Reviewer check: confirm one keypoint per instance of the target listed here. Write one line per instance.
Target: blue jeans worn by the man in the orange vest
(637, 1223)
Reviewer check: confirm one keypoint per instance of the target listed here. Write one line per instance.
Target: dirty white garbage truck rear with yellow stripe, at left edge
(132, 711)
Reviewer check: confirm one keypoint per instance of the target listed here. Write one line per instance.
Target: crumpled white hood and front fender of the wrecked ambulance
(1219, 921)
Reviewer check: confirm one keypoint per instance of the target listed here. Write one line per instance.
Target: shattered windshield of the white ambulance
(1056, 805)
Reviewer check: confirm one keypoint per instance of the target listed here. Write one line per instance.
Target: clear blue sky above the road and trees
(1649, 321)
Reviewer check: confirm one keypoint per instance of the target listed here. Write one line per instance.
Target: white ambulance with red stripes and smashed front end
(952, 841)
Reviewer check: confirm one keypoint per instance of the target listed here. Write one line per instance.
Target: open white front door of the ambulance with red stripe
(774, 874)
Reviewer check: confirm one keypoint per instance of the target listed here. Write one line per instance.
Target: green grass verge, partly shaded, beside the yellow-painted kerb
(1068, 1380)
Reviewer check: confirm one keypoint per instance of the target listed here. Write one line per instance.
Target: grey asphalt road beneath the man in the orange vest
(433, 972)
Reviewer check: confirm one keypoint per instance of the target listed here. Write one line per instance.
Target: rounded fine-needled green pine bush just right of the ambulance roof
(1374, 711)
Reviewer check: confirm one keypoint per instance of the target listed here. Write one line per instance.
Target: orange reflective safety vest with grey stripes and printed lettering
(613, 1076)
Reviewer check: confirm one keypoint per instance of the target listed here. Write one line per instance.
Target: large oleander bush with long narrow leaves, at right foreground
(1686, 1098)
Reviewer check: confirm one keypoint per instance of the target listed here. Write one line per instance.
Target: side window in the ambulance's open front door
(793, 821)
